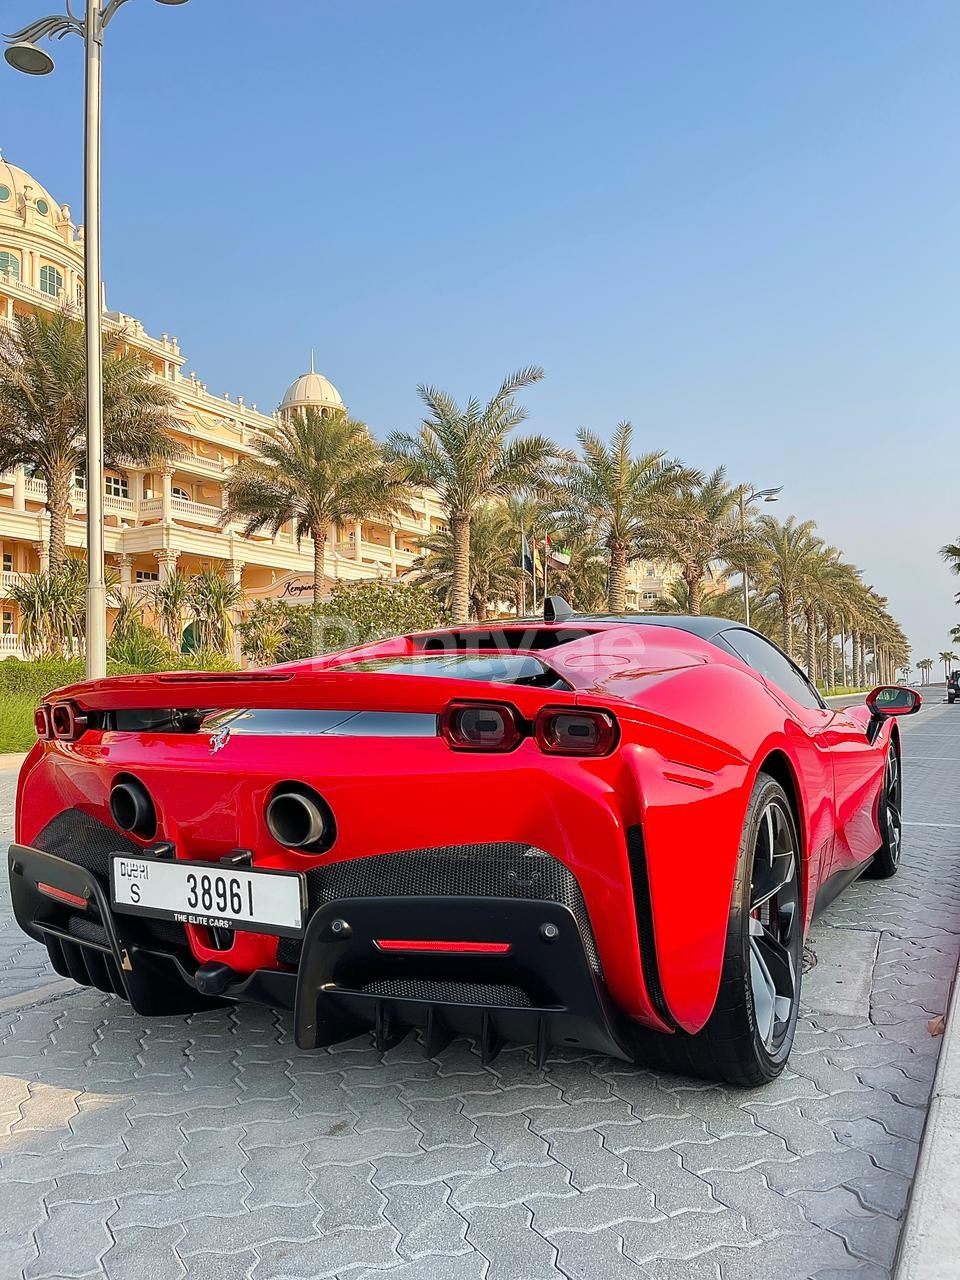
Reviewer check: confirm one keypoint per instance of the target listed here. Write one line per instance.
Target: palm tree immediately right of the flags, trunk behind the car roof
(620, 500)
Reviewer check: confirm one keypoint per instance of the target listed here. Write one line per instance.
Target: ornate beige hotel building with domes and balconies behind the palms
(162, 520)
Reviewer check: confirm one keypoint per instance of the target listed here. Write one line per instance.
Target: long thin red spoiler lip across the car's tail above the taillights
(323, 691)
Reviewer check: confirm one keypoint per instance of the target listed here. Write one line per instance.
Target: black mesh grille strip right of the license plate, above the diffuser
(454, 871)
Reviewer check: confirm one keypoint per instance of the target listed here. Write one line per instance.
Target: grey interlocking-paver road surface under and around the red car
(212, 1148)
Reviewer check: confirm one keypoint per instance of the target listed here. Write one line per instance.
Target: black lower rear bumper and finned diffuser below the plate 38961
(546, 989)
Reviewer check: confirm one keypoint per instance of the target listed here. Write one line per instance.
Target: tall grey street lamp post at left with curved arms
(25, 56)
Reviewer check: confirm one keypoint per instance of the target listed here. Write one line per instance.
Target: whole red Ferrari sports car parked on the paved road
(597, 831)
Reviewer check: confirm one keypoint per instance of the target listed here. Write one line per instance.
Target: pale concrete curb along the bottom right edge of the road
(930, 1242)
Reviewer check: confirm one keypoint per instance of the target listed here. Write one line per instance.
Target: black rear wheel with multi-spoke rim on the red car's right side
(749, 1035)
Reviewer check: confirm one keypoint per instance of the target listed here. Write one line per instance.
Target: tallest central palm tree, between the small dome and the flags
(464, 454)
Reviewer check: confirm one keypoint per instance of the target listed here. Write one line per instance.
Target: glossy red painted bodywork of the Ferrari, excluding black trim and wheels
(696, 726)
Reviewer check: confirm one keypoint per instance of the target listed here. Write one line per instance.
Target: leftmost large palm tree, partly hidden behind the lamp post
(43, 408)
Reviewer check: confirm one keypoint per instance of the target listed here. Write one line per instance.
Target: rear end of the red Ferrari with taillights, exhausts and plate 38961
(394, 838)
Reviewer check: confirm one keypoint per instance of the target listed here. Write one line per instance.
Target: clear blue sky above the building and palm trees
(734, 225)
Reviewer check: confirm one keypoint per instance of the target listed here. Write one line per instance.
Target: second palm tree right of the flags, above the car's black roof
(700, 529)
